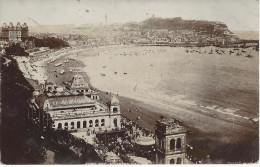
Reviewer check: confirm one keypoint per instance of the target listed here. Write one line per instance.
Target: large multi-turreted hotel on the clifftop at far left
(14, 33)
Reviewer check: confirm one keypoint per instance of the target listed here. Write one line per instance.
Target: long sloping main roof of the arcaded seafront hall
(60, 102)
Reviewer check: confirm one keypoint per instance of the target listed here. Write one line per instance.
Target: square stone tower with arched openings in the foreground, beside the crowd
(170, 142)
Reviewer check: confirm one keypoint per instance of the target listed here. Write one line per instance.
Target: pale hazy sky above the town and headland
(237, 14)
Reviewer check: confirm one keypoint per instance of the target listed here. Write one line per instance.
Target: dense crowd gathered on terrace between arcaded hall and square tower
(123, 143)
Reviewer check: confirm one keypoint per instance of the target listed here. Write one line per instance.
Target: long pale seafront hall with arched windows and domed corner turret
(76, 112)
